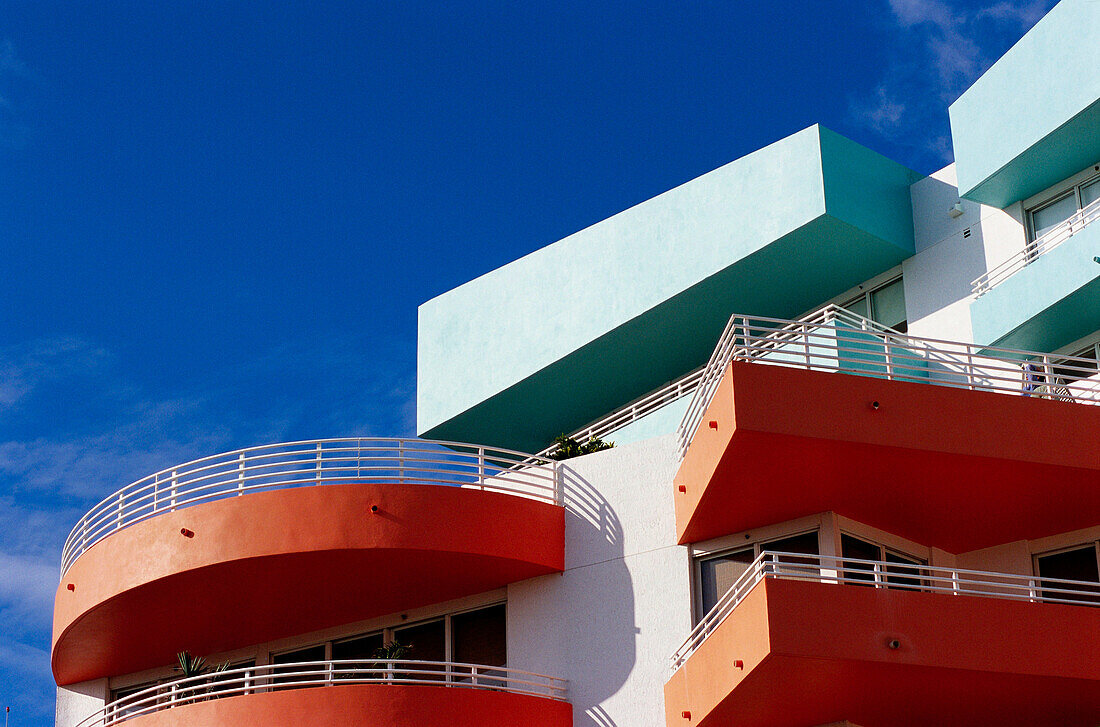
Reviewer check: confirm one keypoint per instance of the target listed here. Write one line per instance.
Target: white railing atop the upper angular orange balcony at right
(831, 343)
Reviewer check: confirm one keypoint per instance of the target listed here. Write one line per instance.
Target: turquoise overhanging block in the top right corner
(1033, 119)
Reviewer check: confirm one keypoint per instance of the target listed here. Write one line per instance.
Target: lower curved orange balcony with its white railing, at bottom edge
(343, 693)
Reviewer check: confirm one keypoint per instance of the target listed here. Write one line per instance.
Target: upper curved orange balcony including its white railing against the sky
(246, 548)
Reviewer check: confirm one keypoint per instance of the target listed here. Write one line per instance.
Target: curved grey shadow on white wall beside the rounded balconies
(599, 598)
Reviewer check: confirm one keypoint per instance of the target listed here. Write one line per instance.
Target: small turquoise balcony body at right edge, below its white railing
(1050, 304)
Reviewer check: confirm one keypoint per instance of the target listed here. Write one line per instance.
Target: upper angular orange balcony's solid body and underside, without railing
(950, 468)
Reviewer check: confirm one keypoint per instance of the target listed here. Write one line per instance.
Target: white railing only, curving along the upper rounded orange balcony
(315, 462)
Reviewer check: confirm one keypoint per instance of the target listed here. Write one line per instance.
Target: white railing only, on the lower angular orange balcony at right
(884, 575)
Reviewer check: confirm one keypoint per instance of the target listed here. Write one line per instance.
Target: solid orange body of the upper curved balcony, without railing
(268, 566)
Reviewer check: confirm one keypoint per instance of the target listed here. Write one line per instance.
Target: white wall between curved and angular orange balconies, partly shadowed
(610, 623)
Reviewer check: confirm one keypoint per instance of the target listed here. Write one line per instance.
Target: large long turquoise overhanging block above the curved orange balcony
(570, 333)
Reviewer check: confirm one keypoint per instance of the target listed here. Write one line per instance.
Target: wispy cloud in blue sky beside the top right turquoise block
(952, 47)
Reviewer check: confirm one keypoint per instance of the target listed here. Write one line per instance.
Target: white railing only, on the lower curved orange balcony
(315, 675)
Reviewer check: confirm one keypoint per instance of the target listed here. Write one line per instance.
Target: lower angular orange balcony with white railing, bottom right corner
(807, 641)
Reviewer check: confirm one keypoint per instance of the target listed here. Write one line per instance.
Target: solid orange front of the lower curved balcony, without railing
(369, 706)
